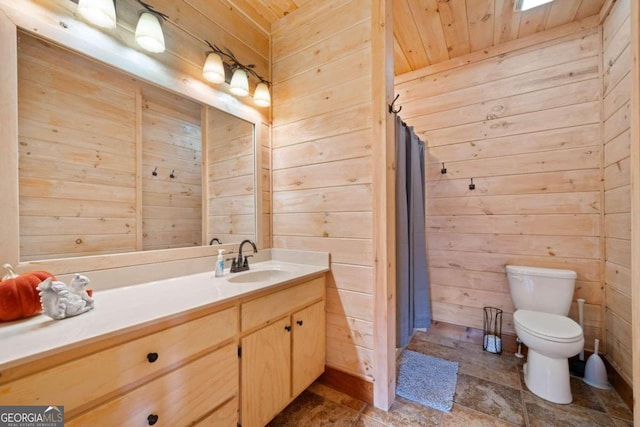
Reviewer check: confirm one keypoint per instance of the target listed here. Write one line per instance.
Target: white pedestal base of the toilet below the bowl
(548, 378)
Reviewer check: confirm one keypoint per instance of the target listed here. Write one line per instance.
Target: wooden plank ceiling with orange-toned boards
(427, 32)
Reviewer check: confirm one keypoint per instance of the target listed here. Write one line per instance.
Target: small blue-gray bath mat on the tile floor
(427, 380)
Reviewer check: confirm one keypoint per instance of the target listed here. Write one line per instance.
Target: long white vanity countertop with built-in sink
(122, 309)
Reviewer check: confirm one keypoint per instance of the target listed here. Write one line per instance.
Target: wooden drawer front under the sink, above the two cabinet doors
(260, 311)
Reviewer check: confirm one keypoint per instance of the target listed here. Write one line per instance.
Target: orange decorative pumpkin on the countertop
(18, 294)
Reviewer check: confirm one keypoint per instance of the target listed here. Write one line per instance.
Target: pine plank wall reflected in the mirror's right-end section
(231, 163)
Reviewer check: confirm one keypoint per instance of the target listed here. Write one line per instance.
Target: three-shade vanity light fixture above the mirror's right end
(214, 71)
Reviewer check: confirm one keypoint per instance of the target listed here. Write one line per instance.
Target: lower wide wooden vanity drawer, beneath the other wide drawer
(178, 398)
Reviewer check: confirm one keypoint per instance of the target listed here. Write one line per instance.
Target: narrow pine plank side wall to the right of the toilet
(616, 86)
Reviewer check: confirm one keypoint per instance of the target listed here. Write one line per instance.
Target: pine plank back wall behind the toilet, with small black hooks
(525, 125)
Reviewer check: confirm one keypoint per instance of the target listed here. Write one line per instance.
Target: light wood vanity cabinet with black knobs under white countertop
(185, 371)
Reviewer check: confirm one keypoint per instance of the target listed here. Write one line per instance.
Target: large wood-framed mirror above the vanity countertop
(113, 160)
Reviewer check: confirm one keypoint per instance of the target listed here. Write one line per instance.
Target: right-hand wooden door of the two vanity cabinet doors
(308, 346)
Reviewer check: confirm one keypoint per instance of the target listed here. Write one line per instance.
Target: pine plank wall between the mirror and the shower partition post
(322, 162)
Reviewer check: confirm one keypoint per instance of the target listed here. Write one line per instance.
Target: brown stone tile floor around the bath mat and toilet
(490, 392)
